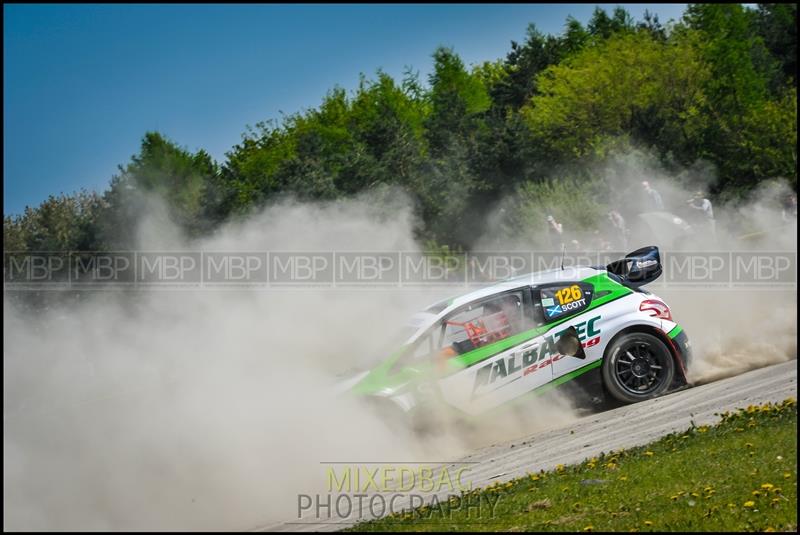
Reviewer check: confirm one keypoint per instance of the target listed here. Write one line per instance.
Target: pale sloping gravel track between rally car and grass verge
(624, 427)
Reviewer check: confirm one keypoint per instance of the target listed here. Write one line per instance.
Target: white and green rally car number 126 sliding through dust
(596, 328)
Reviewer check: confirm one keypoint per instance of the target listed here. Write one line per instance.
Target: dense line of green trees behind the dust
(718, 86)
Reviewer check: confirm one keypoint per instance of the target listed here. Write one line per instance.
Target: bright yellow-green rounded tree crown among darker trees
(629, 85)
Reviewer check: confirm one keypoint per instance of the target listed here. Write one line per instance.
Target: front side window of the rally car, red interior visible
(485, 322)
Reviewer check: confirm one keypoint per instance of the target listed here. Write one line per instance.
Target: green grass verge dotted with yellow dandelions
(737, 475)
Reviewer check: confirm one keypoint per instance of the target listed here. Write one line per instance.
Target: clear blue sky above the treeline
(83, 83)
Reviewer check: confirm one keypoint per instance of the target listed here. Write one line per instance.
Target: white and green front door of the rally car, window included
(493, 351)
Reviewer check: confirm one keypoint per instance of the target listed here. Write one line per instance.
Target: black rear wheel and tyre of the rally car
(637, 366)
